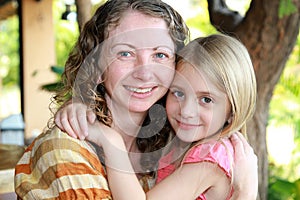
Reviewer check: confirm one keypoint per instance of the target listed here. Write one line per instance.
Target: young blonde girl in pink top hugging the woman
(212, 97)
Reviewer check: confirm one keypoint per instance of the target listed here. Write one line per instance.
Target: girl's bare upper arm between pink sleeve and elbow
(191, 180)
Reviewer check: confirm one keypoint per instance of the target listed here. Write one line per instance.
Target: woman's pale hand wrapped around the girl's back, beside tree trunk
(245, 178)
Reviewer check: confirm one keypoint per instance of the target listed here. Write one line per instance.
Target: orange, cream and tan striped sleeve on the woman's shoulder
(57, 166)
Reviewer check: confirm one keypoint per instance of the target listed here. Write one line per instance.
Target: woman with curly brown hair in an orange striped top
(137, 41)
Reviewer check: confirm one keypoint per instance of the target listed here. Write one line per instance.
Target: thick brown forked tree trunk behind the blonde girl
(270, 41)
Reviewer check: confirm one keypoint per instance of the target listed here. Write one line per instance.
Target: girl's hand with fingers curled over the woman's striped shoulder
(73, 118)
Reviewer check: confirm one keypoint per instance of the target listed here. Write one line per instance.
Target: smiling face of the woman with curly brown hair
(140, 56)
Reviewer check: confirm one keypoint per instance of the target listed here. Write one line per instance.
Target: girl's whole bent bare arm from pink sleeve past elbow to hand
(187, 182)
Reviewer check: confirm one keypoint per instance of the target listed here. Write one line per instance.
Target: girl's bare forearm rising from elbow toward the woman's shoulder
(123, 182)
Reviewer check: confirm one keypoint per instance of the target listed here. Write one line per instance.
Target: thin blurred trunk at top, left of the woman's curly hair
(84, 8)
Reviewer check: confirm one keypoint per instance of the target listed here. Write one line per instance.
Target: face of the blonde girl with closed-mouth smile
(196, 108)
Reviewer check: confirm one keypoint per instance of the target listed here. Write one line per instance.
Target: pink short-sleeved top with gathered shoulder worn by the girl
(220, 152)
